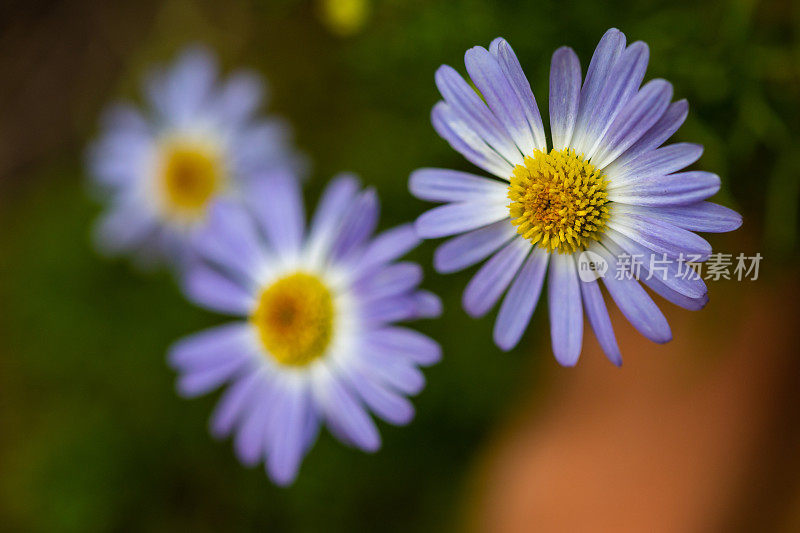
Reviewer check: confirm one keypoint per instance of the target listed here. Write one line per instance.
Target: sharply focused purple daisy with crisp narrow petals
(603, 184)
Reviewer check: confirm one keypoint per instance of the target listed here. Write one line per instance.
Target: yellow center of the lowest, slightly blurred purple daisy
(294, 319)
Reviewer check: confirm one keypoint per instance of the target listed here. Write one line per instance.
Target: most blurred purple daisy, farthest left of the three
(200, 139)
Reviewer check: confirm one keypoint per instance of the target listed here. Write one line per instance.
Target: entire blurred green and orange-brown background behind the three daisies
(93, 438)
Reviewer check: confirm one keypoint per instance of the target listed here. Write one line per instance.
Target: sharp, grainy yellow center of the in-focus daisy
(558, 200)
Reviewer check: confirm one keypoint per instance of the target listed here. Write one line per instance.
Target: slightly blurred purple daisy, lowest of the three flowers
(316, 341)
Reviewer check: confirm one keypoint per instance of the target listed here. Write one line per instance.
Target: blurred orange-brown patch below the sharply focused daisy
(700, 434)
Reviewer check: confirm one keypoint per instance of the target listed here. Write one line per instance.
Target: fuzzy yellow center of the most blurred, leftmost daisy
(191, 174)
